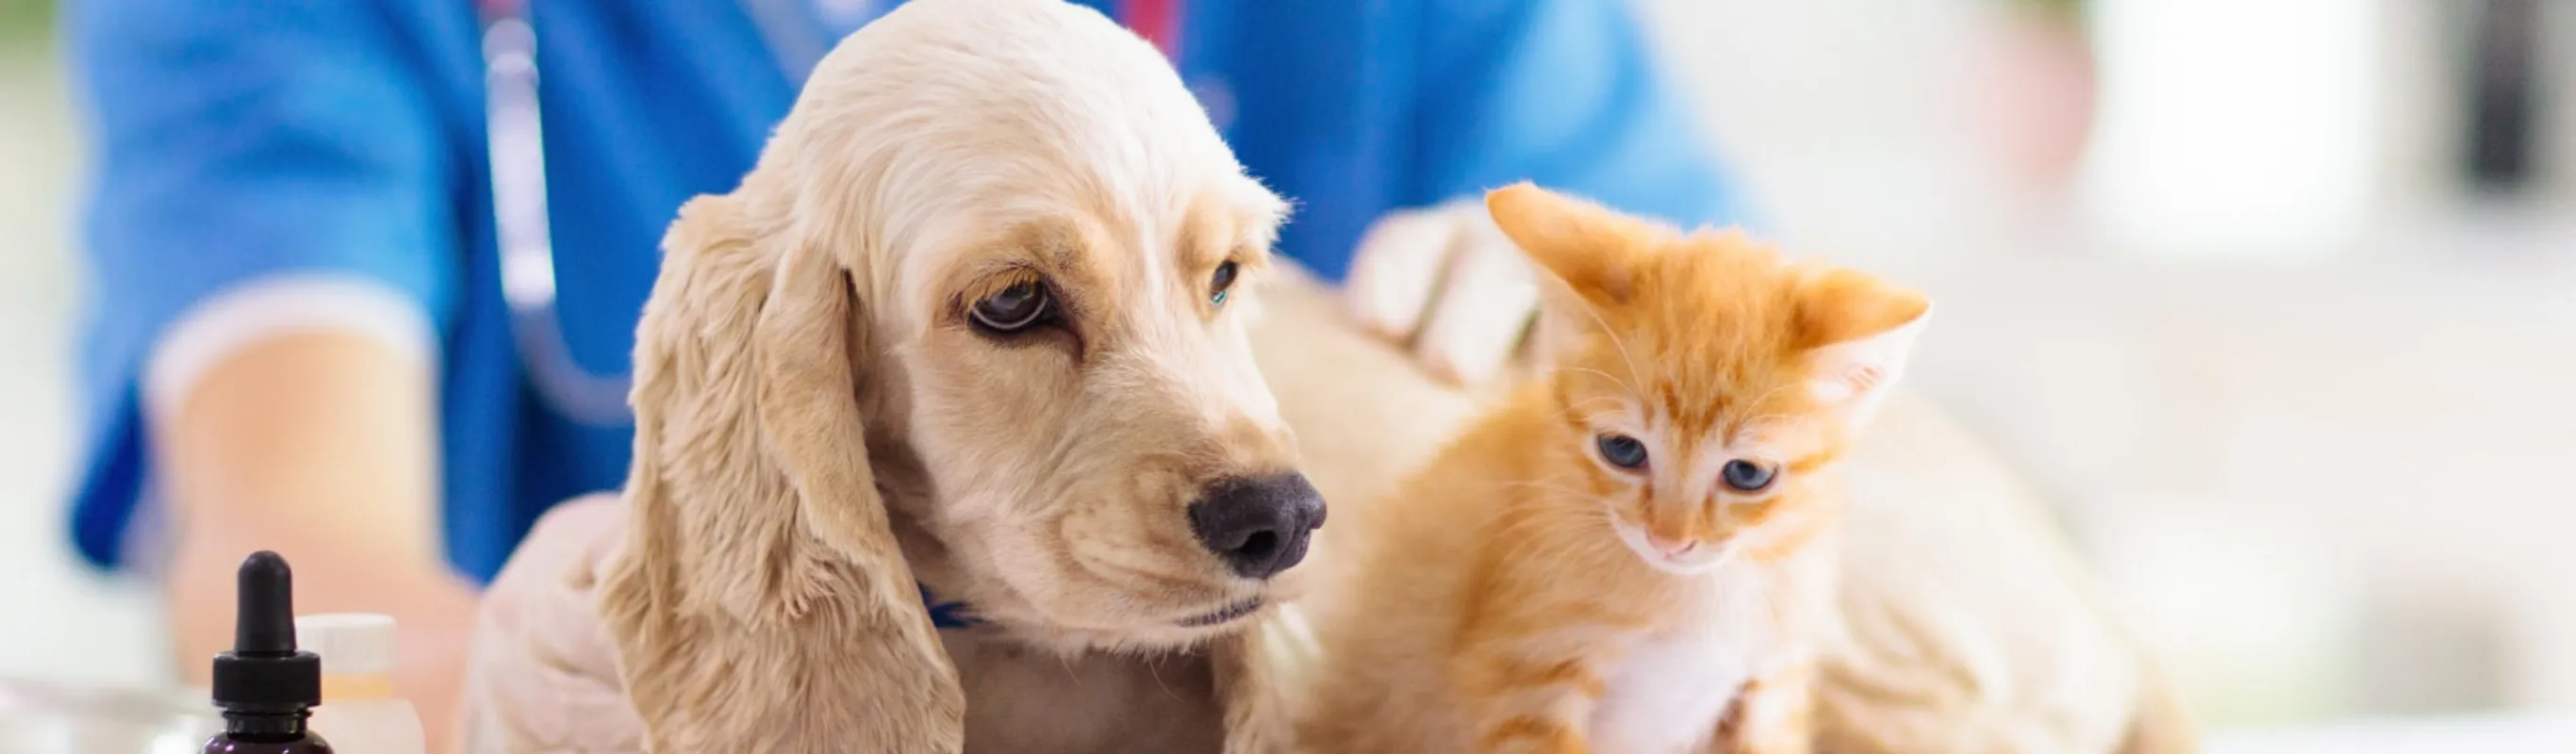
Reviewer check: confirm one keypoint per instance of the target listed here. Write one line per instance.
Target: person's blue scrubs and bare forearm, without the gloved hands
(298, 333)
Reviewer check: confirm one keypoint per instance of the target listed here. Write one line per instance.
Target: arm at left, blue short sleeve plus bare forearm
(243, 151)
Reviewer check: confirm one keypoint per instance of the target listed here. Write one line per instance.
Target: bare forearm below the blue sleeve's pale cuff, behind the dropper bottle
(316, 446)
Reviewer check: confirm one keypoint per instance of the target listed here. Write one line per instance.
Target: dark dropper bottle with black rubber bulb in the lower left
(264, 686)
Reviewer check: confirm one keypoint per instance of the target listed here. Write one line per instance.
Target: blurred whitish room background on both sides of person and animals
(2276, 300)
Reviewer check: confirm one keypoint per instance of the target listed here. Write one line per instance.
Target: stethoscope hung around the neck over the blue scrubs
(516, 143)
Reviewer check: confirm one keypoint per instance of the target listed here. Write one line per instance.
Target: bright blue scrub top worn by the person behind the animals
(241, 140)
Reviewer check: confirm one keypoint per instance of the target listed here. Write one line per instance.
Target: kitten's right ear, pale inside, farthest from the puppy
(1859, 333)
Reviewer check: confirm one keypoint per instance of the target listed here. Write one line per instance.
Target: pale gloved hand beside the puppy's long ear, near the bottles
(542, 676)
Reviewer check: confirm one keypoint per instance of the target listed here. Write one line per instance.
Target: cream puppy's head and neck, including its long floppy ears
(972, 331)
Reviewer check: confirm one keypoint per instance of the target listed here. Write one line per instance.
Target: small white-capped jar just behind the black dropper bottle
(359, 709)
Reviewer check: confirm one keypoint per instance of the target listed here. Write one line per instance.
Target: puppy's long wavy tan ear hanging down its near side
(764, 603)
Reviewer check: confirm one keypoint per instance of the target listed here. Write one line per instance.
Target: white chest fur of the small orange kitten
(1673, 688)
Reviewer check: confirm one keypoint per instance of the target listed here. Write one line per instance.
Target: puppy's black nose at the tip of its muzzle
(1258, 526)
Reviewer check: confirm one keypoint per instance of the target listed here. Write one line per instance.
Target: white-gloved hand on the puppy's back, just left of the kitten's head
(1449, 284)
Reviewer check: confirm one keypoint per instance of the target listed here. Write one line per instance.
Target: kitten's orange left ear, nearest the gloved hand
(1586, 246)
